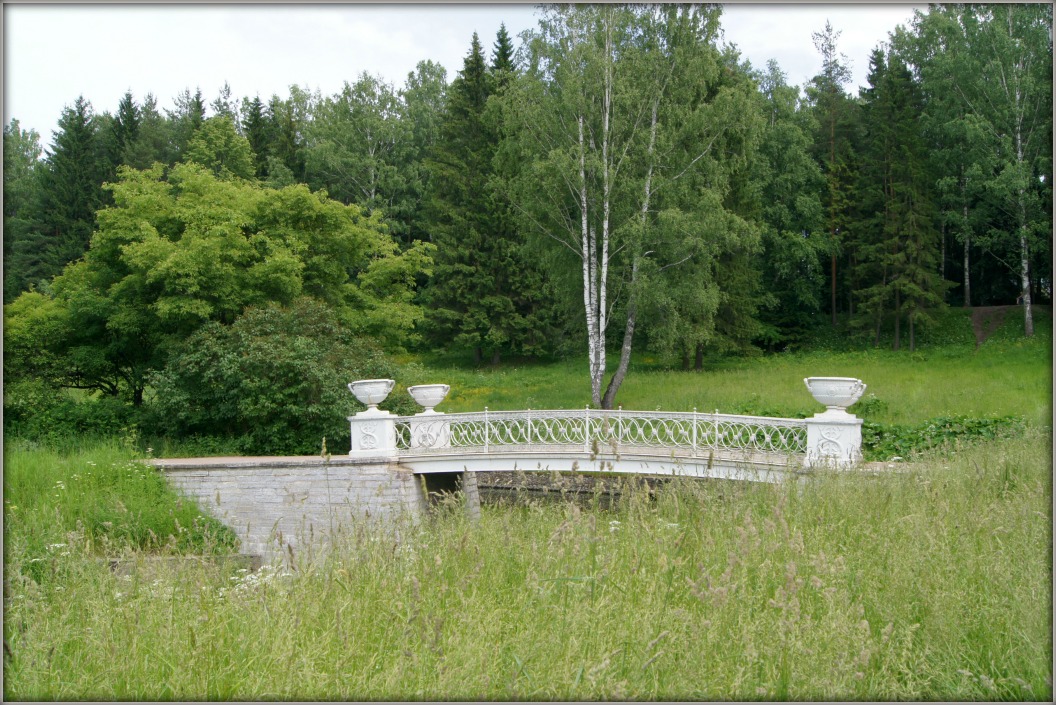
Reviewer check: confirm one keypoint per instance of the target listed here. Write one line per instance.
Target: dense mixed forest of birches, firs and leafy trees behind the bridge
(614, 184)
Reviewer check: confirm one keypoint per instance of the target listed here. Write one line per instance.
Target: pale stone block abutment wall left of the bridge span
(272, 503)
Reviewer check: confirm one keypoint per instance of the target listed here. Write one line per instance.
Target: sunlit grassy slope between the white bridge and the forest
(1006, 376)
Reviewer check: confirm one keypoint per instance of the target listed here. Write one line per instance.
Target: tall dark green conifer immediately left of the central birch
(485, 294)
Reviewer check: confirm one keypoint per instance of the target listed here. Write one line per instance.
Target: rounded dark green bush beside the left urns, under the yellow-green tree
(276, 380)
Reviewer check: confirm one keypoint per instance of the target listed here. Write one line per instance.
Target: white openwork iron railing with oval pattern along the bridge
(599, 432)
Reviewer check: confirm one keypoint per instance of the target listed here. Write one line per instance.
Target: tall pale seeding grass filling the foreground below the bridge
(932, 585)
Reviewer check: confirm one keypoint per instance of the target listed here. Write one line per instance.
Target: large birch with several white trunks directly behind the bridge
(625, 121)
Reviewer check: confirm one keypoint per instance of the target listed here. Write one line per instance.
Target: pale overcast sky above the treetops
(54, 53)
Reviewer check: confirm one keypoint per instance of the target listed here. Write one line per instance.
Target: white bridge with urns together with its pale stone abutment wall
(276, 503)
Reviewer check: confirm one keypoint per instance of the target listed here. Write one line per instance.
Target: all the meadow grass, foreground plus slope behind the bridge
(930, 584)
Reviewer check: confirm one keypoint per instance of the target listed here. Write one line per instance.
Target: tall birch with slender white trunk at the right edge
(1000, 67)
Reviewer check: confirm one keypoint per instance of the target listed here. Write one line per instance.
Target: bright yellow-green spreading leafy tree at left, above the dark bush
(181, 249)
